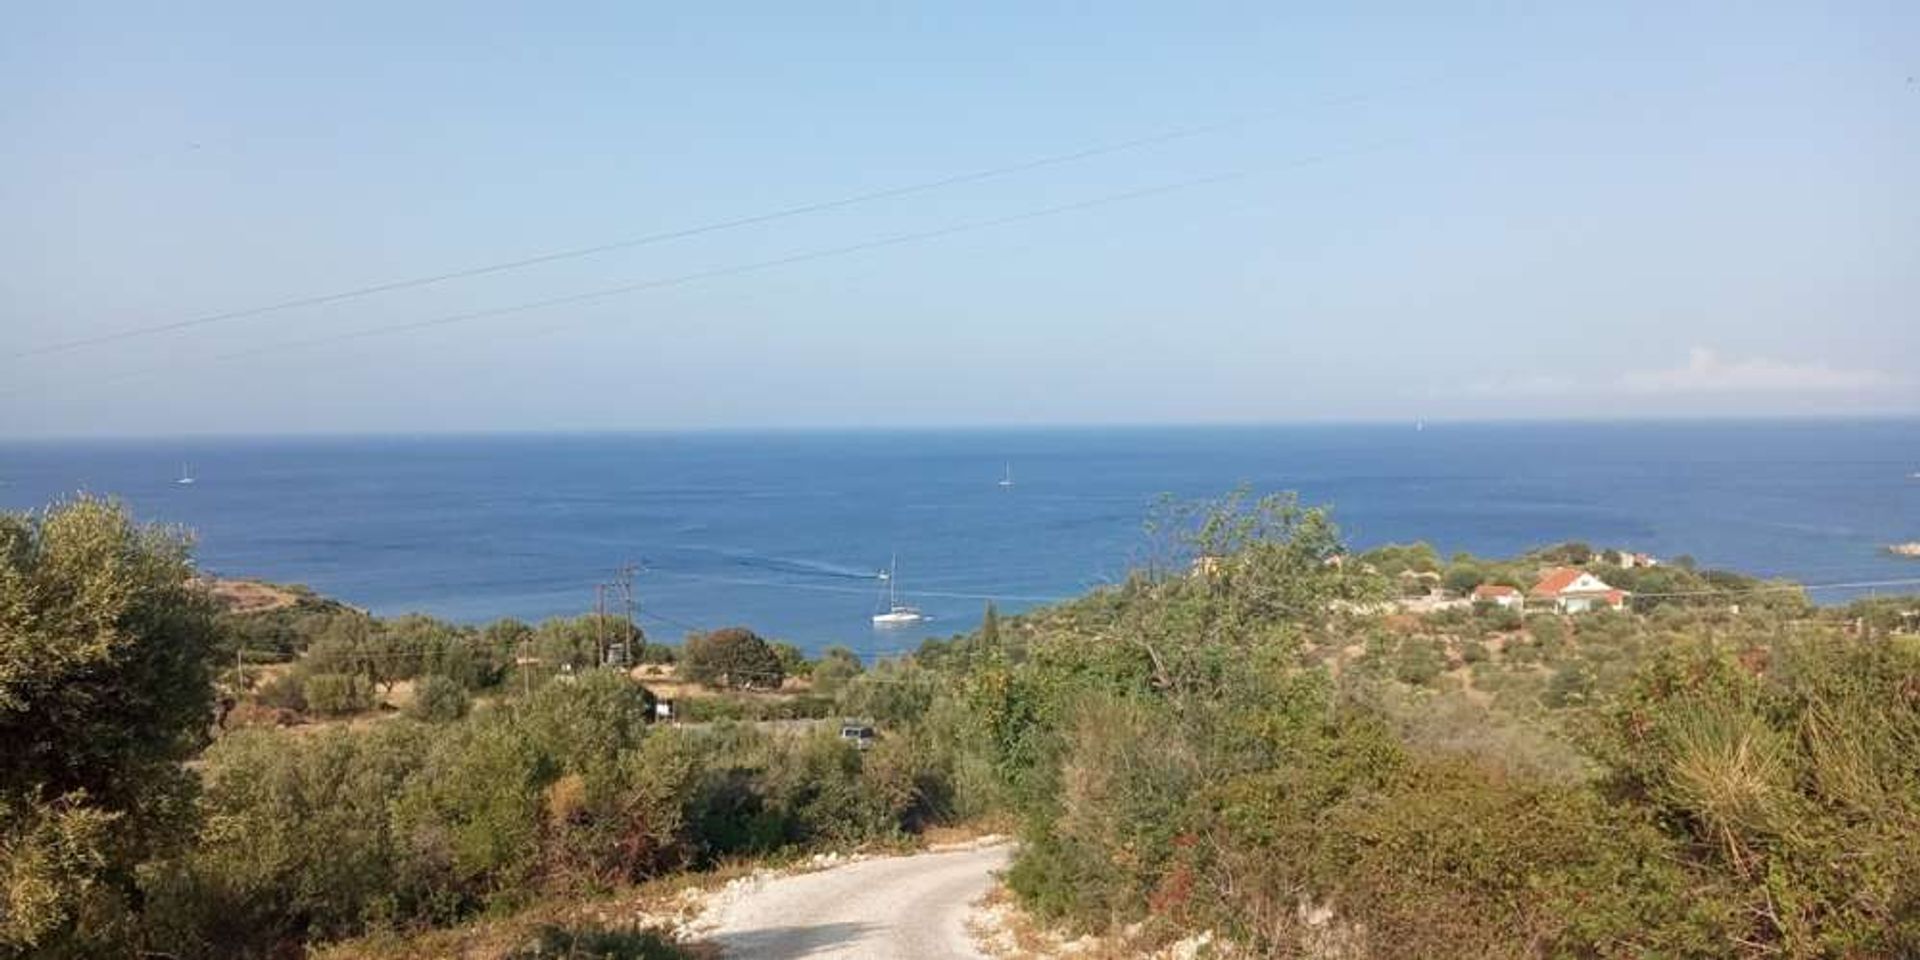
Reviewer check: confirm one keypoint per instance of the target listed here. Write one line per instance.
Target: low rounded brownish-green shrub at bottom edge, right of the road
(1462, 861)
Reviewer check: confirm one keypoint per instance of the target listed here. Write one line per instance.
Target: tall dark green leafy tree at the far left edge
(105, 690)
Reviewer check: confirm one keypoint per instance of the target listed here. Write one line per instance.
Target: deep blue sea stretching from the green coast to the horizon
(784, 533)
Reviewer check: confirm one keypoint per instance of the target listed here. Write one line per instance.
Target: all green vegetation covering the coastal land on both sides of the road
(1241, 738)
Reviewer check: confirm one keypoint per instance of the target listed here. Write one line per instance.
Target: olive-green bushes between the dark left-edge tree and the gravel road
(325, 836)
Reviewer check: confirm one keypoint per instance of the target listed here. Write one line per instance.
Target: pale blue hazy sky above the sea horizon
(1157, 214)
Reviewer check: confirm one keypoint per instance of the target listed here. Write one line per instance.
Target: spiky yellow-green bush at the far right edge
(1796, 786)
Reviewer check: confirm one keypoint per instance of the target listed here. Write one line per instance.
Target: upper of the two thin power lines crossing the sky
(684, 233)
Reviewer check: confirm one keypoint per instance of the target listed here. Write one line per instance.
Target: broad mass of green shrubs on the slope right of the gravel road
(1174, 757)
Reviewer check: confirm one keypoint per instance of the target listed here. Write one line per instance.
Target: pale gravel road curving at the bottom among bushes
(896, 907)
